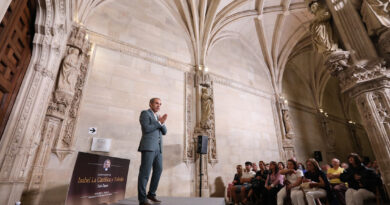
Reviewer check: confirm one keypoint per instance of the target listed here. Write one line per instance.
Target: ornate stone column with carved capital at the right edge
(371, 91)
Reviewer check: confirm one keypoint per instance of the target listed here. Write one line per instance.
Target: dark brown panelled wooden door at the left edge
(16, 35)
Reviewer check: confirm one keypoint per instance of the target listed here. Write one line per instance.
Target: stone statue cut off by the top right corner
(376, 16)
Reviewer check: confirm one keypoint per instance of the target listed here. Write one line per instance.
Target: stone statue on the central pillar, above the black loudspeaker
(206, 108)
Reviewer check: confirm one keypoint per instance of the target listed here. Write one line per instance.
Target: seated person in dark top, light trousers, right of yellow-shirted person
(362, 182)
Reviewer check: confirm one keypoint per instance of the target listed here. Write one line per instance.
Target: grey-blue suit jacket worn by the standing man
(152, 132)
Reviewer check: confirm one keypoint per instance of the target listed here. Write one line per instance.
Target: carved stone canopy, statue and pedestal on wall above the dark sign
(66, 98)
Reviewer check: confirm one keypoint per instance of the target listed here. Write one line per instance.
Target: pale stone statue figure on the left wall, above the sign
(69, 72)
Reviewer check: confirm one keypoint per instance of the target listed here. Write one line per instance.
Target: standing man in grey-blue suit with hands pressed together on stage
(153, 127)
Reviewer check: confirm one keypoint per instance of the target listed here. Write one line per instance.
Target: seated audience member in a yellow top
(338, 187)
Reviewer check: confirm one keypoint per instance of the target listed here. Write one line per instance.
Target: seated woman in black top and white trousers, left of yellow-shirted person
(316, 184)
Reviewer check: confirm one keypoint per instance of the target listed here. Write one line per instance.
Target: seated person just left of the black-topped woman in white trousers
(293, 179)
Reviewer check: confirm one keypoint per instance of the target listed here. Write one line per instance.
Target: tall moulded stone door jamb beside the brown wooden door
(21, 133)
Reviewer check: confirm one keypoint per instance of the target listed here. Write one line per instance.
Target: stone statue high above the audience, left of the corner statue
(321, 30)
